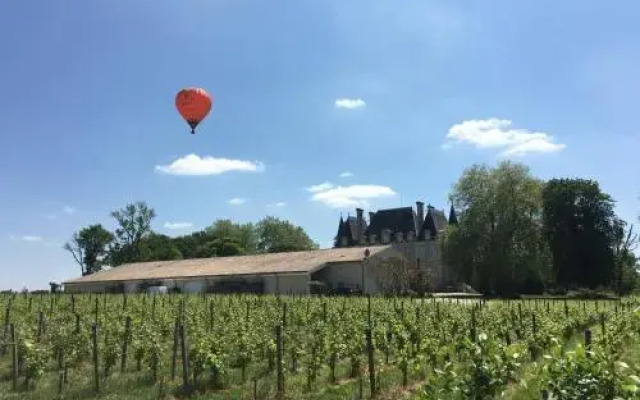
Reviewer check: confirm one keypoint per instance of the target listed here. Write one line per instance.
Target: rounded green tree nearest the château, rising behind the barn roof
(276, 235)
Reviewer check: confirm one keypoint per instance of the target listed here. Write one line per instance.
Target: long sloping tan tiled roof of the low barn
(260, 264)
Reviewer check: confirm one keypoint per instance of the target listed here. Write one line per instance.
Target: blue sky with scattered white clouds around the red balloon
(402, 95)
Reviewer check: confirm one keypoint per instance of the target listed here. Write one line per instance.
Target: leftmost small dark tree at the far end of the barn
(89, 248)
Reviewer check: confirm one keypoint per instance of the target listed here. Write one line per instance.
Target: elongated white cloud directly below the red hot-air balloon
(194, 165)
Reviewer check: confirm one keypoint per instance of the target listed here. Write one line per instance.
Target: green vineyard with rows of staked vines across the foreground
(261, 347)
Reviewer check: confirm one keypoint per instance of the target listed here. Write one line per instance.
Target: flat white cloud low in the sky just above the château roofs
(348, 196)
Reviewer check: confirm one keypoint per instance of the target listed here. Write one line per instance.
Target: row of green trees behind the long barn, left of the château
(94, 247)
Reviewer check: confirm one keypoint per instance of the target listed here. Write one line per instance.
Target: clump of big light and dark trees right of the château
(519, 234)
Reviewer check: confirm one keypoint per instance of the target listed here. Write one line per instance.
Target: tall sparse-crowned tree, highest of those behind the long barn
(134, 224)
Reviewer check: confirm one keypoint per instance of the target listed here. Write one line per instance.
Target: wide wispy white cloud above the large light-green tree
(496, 133)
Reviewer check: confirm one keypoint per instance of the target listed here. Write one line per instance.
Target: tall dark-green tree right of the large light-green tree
(581, 227)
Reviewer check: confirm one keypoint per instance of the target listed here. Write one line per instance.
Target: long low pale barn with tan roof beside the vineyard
(275, 273)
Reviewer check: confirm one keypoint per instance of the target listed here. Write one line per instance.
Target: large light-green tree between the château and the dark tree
(497, 246)
